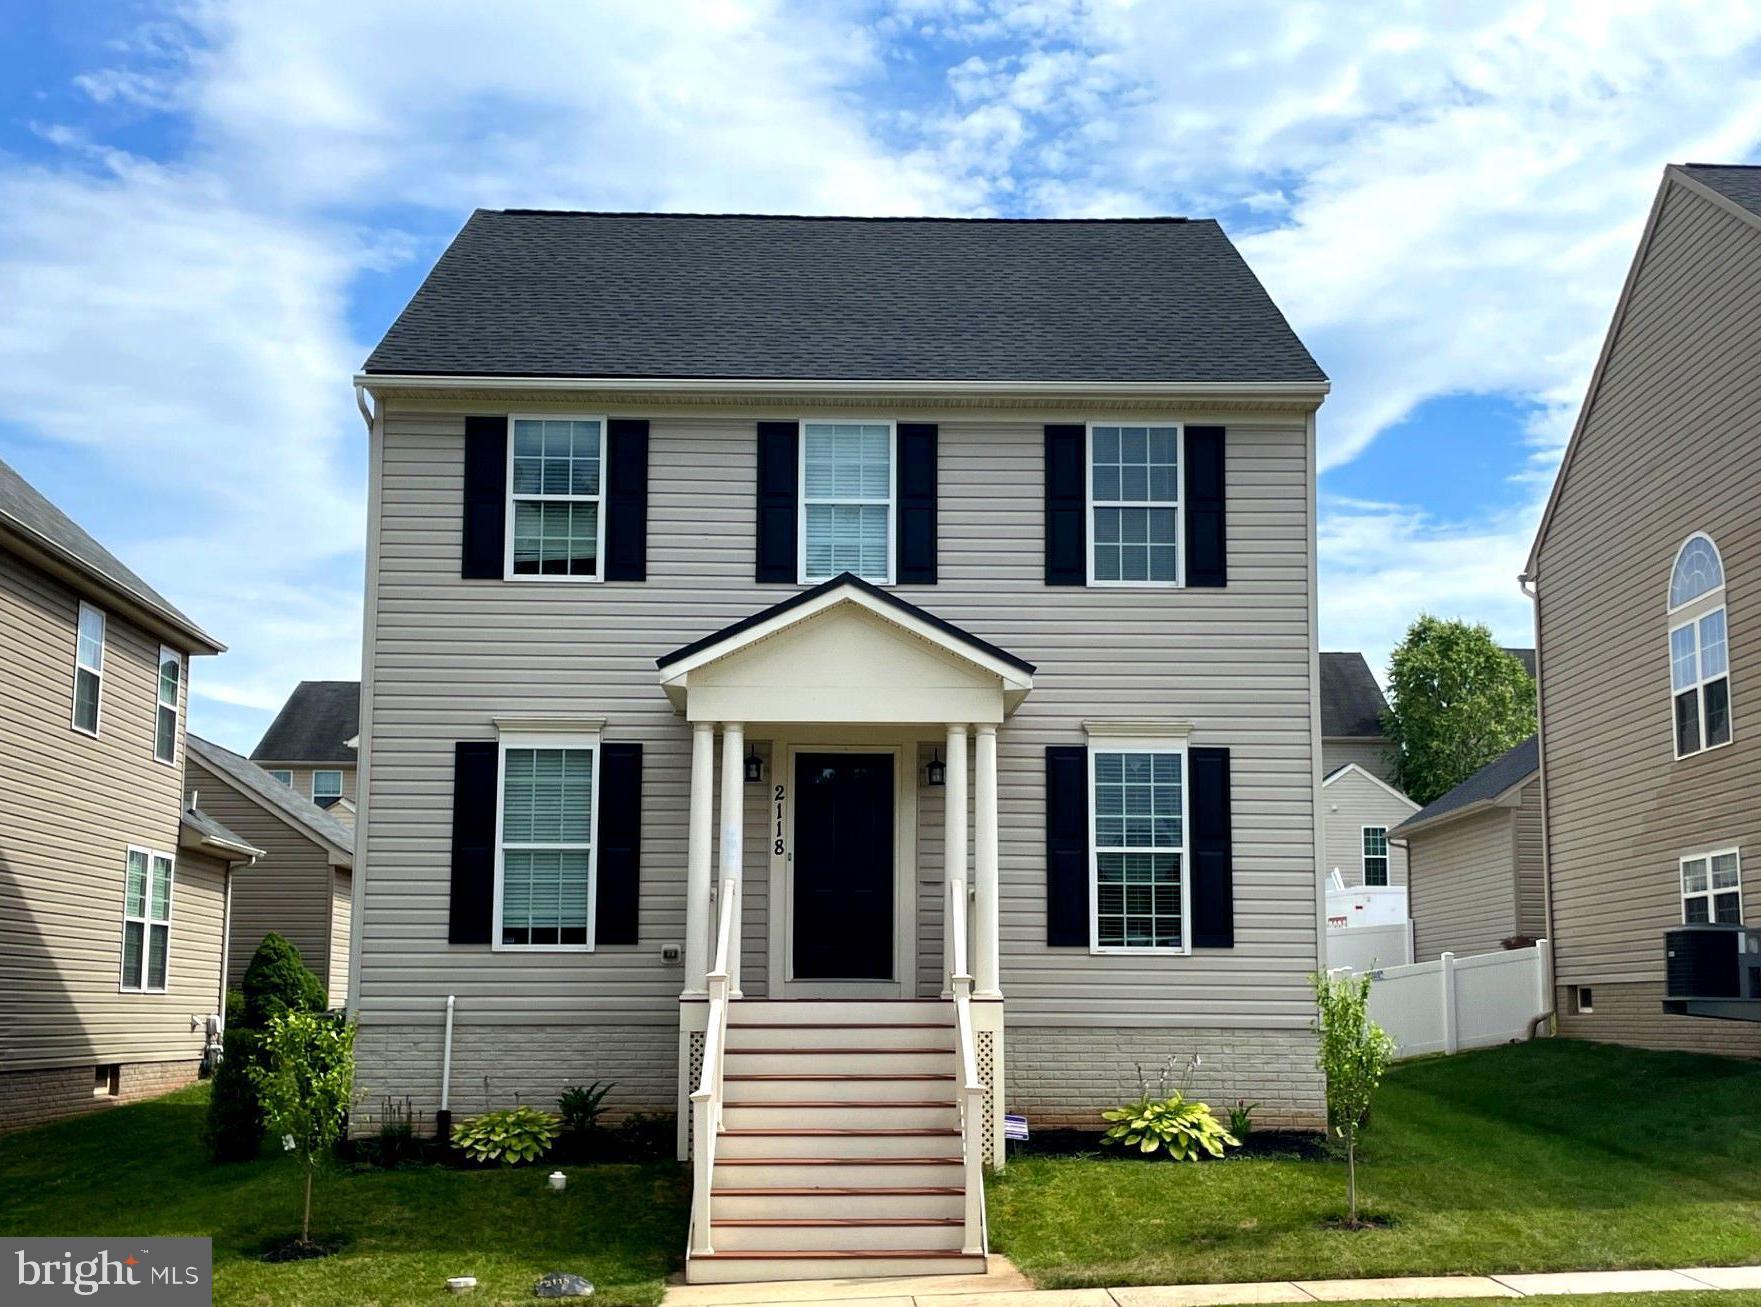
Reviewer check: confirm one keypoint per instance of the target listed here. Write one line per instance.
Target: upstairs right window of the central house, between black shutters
(1135, 505)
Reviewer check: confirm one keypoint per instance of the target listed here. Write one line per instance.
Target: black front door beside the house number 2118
(843, 868)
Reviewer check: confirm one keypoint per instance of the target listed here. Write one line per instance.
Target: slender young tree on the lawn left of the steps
(307, 1084)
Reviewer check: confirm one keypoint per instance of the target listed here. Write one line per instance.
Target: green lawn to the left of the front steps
(142, 1170)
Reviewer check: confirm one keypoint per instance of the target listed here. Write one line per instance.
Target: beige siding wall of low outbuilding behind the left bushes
(288, 890)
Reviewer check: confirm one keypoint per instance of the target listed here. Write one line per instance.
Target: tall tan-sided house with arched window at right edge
(1647, 577)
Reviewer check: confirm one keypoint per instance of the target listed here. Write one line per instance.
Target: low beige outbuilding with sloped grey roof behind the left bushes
(302, 887)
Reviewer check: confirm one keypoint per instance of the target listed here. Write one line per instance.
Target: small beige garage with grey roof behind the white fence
(1475, 860)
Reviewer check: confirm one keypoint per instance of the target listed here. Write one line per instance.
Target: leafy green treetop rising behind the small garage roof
(1457, 702)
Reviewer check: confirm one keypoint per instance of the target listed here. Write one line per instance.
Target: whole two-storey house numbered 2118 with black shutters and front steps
(984, 536)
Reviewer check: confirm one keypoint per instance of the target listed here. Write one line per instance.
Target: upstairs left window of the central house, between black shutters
(556, 521)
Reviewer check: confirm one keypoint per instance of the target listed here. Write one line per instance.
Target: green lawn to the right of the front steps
(1547, 1156)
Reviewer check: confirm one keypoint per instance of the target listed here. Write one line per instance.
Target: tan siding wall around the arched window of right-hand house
(1667, 448)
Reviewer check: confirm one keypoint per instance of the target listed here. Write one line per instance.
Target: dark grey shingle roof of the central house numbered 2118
(526, 293)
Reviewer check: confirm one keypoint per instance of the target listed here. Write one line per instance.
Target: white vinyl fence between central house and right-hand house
(1463, 1003)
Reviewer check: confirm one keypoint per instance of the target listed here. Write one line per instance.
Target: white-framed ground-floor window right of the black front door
(1138, 825)
